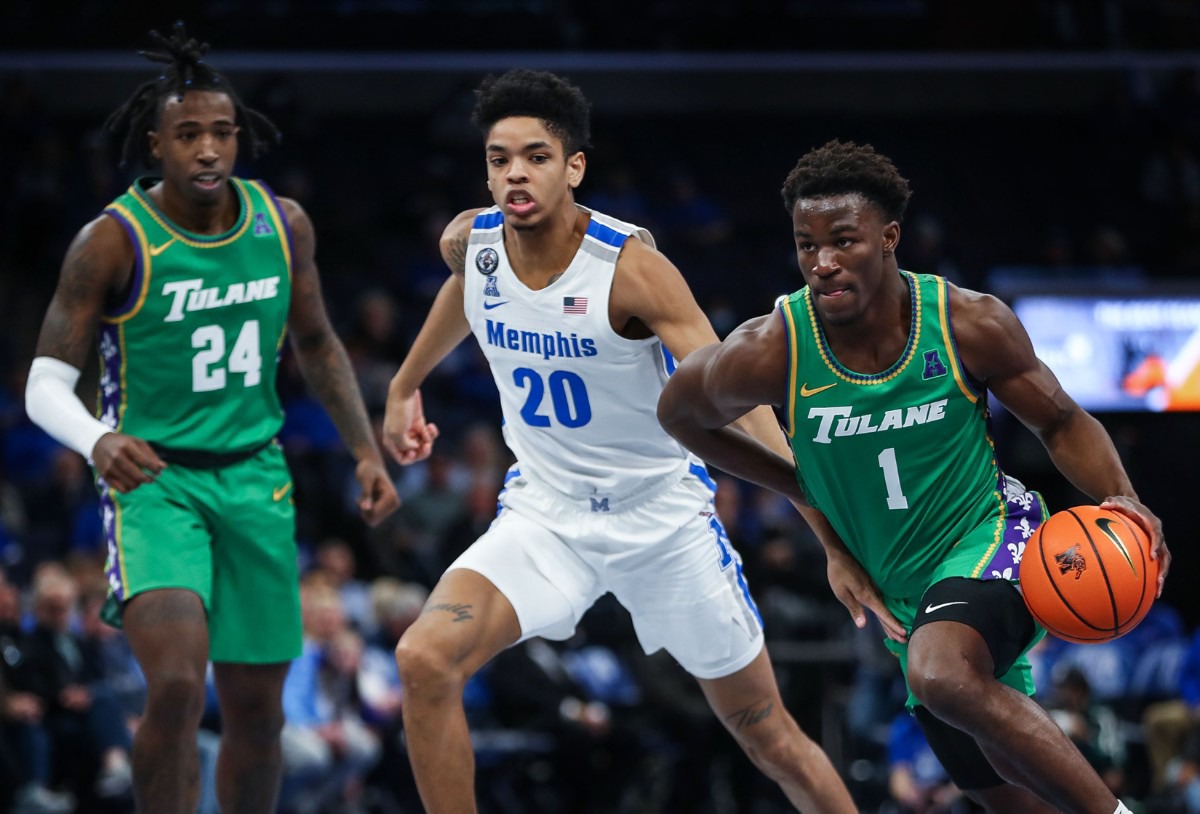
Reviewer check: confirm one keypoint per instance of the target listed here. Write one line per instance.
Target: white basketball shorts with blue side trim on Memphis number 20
(667, 559)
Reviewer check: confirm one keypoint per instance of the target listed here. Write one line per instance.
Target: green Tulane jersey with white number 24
(189, 361)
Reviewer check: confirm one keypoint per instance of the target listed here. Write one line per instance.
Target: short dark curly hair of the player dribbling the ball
(845, 167)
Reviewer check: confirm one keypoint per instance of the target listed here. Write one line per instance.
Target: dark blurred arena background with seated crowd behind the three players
(592, 725)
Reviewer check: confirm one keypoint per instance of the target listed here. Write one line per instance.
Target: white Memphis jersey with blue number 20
(580, 402)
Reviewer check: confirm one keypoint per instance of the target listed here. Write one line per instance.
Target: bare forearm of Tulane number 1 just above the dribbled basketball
(1085, 456)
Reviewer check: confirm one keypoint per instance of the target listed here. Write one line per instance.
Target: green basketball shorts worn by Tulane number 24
(227, 535)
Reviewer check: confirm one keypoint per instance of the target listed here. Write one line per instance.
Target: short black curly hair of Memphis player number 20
(560, 105)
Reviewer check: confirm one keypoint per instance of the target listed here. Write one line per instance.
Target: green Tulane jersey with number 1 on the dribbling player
(901, 462)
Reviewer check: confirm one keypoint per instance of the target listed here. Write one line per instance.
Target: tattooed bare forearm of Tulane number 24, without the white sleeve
(327, 368)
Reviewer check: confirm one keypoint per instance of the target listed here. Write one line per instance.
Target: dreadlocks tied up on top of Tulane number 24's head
(187, 70)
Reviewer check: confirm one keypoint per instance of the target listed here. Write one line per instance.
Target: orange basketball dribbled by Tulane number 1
(1088, 577)
